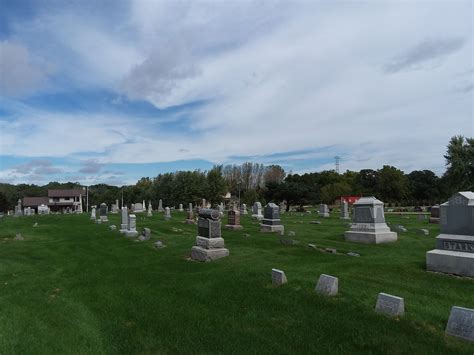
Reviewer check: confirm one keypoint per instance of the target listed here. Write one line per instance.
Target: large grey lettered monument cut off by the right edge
(454, 253)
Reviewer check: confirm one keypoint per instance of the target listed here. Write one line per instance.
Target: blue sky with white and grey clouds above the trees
(109, 91)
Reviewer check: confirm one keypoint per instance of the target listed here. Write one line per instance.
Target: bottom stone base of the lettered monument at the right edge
(450, 262)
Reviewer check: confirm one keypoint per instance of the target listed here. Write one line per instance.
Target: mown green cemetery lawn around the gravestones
(72, 286)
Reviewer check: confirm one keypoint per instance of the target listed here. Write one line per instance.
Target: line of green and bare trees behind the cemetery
(250, 182)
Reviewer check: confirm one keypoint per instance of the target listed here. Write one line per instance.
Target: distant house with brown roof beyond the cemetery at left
(58, 200)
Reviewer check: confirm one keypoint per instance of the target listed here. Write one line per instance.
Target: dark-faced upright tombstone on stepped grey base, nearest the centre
(209, 242)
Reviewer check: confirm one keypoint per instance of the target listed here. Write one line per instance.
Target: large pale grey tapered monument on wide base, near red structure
(368, 223)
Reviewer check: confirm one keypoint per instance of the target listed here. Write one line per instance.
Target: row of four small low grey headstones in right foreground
(460, 322)
